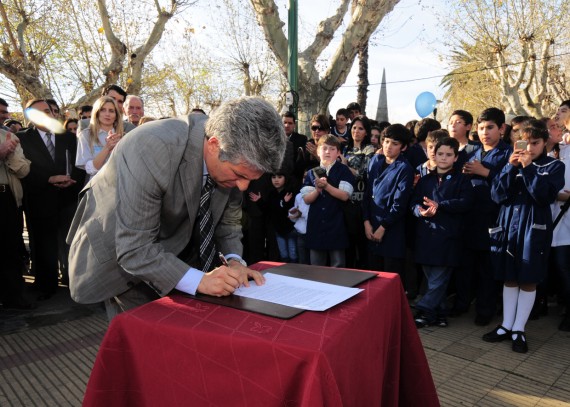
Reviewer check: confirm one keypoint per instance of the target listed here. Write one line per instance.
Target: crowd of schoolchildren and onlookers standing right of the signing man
(457, 212)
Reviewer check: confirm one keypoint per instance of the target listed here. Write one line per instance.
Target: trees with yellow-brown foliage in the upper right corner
(510, 53)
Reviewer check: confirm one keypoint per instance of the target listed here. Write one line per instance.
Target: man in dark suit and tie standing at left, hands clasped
(50, 197)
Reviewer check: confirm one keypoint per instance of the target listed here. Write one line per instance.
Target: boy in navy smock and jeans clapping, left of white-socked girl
(440, 199)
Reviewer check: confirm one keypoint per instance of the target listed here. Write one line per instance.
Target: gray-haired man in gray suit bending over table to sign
(134, 236)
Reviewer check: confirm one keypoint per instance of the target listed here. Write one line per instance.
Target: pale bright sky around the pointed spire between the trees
(405, 46)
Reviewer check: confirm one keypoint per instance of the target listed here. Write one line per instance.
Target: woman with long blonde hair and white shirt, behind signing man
(97, 141)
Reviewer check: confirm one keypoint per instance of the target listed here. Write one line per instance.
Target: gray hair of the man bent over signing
(250, 132)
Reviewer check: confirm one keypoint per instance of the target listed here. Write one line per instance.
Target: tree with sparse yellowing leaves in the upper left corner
(71, 49)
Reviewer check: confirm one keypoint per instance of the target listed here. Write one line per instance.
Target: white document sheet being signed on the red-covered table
(297, 292)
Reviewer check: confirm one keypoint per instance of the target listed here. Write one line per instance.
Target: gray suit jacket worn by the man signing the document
(138, 213)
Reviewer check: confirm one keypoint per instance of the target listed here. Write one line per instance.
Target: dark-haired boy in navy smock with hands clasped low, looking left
(385, 202)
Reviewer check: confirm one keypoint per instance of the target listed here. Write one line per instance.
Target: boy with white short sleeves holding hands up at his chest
(325, 189)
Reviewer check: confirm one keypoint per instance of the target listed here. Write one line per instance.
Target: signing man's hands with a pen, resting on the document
(223, 280)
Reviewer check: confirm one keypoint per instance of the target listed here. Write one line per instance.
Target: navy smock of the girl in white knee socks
(521, 237)
